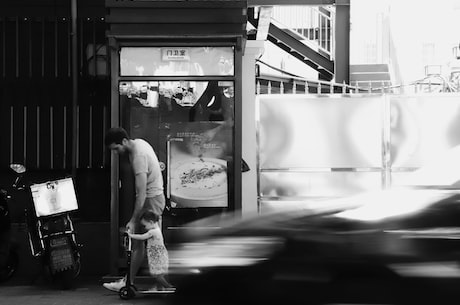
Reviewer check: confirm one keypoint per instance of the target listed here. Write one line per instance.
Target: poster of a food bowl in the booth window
(198, 154)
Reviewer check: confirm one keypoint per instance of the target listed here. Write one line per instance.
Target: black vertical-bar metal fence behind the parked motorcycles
(36, 92)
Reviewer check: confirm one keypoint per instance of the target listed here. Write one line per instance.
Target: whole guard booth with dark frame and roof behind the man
(176, 82)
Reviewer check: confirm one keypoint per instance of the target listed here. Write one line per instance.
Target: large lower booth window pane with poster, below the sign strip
(195, 120)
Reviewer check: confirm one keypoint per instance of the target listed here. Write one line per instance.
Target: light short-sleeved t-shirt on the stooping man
(144, 160)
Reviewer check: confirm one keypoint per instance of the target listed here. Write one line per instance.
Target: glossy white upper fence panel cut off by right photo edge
(423, 128)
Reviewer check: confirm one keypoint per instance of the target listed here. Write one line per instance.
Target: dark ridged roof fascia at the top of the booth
(172, 19)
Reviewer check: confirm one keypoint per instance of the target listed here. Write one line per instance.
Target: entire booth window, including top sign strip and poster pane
(182, 102)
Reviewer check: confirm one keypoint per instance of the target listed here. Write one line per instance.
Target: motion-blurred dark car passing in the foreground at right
(381, 247)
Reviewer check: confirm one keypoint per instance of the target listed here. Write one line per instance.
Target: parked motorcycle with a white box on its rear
(51, 233)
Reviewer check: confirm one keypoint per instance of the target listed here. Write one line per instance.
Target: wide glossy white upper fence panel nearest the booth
(296, 131)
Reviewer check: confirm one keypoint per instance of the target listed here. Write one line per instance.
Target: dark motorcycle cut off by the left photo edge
(9, 257)
